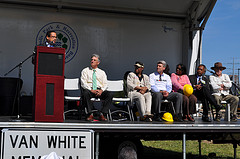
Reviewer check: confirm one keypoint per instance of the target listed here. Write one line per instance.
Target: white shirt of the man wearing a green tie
(86, 78)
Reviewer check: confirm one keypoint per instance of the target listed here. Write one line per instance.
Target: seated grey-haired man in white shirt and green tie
(94, 84)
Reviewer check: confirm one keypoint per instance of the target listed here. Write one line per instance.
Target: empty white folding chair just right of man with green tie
(117, 86)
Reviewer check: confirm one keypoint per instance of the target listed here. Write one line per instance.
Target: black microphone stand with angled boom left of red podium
(19, 66)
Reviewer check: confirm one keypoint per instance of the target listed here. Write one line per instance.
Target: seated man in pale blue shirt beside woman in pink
(161, 86)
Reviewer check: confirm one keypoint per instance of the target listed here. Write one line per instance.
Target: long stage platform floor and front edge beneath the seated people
(126, 126)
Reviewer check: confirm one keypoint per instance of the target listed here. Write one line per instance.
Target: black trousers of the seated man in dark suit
(205, 96)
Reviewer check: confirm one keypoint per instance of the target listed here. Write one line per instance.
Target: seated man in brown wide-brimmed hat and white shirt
(221, 85)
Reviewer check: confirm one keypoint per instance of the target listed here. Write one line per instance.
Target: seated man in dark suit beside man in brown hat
(202, 91)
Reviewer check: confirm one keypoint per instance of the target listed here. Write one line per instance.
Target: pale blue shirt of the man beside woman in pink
(160, 84)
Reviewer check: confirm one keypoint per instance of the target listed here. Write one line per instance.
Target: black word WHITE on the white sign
(66, 142)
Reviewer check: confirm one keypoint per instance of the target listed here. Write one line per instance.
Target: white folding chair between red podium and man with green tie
(72, 85)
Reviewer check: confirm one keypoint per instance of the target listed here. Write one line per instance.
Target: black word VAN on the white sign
(22, 141)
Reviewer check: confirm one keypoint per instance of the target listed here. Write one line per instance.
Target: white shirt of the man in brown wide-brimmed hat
(216, 82)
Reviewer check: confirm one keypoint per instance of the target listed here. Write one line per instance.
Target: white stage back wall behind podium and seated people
(119, 40)
